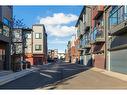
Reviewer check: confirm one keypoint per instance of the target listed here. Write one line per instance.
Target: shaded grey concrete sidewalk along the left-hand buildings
(8, 77)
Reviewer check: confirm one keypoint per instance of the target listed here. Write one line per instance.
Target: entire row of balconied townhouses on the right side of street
(101, 38)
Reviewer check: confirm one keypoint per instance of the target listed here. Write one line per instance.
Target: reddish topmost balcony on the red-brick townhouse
(97, 11)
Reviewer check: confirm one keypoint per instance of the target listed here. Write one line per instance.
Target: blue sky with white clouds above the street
(59, 22)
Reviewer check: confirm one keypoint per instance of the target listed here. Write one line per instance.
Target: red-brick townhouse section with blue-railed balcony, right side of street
(98, 37)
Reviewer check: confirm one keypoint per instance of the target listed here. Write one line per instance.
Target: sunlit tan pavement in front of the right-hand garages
(93, 78)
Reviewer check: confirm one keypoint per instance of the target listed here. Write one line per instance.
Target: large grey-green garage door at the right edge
(118, 61)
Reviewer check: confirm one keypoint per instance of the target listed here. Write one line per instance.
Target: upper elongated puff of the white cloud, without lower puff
(58, 18)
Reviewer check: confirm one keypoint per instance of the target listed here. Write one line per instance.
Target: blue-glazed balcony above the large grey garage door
(118, 21)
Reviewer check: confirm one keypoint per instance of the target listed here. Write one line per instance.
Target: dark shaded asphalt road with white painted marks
(47, 74)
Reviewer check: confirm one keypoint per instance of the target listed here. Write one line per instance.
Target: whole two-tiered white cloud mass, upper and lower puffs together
(57, 24)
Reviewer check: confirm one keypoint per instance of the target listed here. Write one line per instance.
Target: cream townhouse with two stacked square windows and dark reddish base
(39, 44)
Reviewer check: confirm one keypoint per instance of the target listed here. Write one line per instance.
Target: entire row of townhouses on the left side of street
(19, 44)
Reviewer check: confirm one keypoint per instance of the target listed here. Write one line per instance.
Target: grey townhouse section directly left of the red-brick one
(83, 32)
